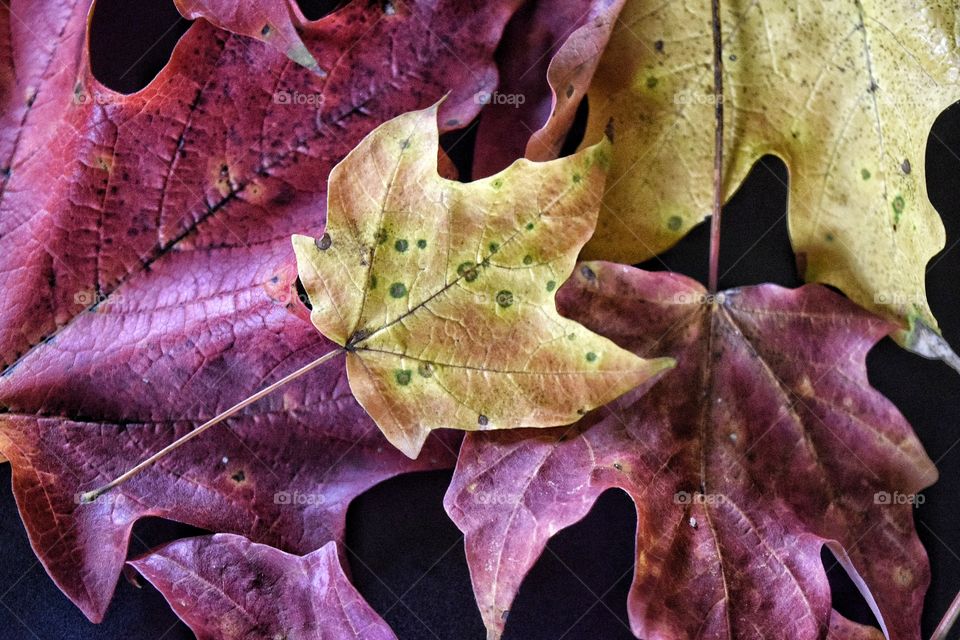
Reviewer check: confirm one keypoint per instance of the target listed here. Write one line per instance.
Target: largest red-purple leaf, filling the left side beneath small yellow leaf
(146, 260)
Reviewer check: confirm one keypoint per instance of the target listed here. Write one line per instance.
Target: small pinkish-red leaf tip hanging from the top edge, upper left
(272, 21)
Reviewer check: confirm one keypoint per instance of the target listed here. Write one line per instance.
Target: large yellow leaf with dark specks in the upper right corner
(844, 92)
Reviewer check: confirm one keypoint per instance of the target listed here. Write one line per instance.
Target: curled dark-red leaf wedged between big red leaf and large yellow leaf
(547, 58)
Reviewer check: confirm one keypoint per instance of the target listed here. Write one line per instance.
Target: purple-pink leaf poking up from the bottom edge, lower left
(226, 587)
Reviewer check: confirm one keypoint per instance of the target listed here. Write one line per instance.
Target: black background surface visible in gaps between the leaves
(407, 557)
